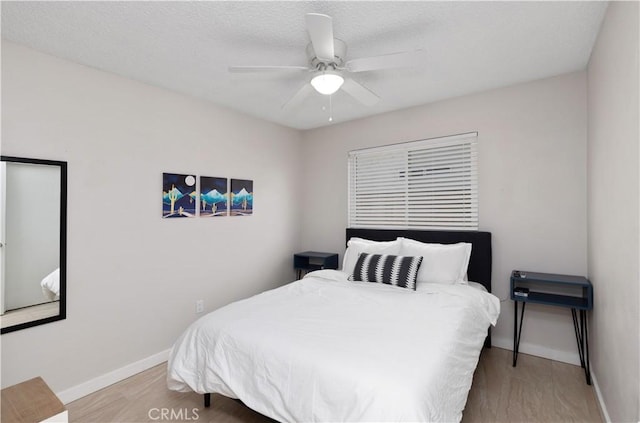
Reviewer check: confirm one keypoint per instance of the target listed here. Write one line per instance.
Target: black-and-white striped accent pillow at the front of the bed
(384, 268)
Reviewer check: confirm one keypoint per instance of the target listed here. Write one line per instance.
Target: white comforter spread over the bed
(326, 349)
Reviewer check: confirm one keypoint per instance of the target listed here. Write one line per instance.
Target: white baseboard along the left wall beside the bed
(110, 378)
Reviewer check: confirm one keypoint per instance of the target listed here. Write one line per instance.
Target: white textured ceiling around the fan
(187, 46)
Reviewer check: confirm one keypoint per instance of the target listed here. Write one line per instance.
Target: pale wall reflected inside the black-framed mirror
(32, 231)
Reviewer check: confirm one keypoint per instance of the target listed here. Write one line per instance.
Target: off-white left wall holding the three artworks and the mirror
(133, 277)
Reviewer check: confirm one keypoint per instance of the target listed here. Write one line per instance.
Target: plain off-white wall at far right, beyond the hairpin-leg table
(613, 213)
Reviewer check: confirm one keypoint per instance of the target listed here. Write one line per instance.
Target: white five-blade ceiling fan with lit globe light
(327, 64)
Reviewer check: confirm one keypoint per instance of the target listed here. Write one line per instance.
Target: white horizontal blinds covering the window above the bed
(428, 184)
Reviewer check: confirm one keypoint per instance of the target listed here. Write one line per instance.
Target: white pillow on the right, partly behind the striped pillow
(441, 263)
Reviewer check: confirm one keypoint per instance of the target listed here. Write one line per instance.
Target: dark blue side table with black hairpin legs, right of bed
(574, 292)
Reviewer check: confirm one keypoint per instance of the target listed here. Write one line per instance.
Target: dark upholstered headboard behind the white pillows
(479, 264)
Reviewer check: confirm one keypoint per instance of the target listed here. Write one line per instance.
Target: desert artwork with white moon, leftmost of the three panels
(179, 195)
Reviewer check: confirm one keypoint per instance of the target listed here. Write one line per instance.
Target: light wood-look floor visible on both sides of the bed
(537, 390)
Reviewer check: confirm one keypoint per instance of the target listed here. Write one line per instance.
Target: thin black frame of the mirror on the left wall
(62, 313)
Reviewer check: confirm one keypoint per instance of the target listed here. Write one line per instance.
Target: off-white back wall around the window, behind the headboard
(532, 186)
